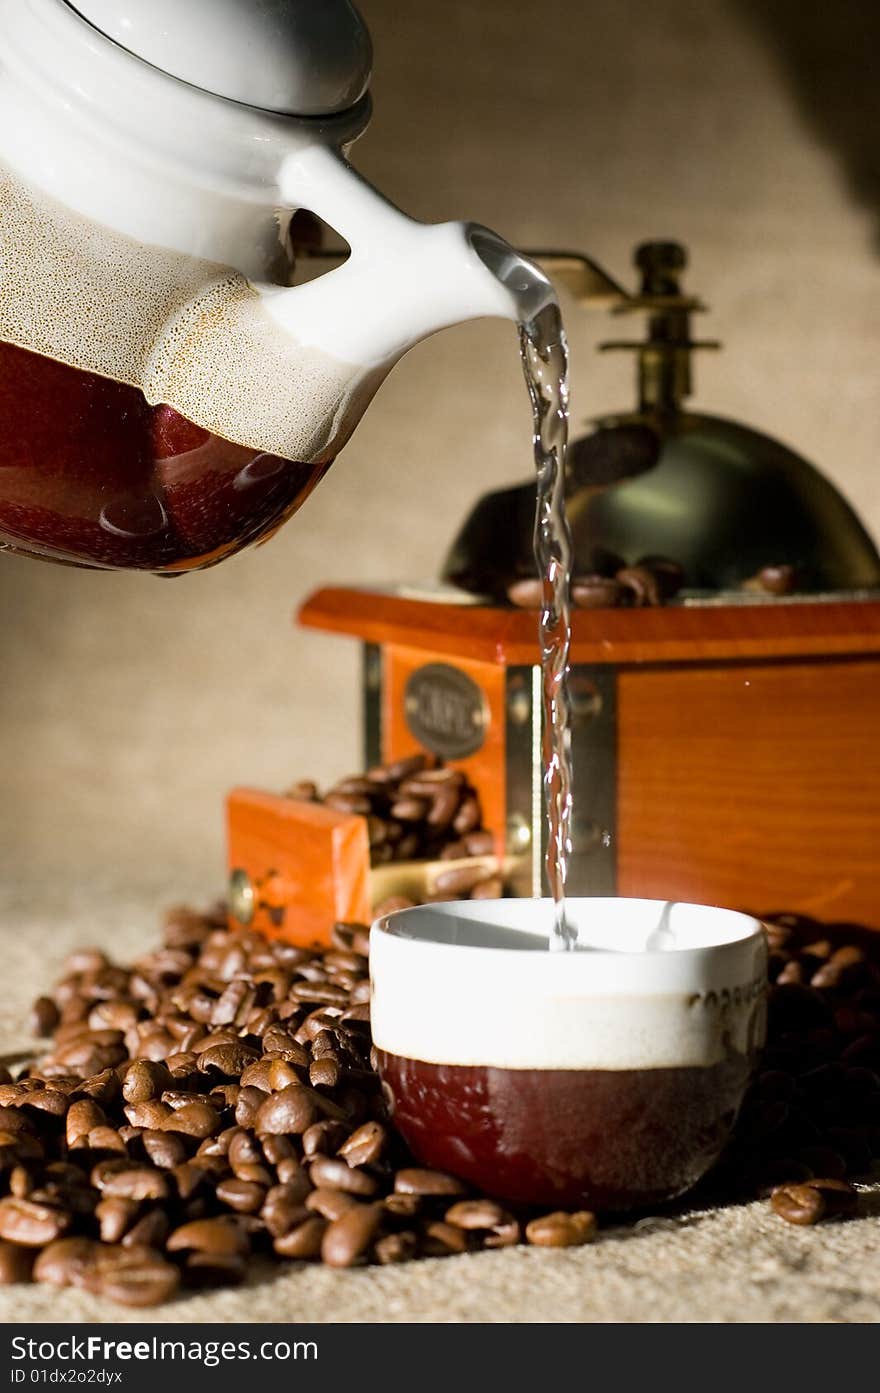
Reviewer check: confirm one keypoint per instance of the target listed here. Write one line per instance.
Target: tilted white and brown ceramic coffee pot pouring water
(166, 395)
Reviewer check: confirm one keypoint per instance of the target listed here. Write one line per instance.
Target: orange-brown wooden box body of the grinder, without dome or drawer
(723, 753)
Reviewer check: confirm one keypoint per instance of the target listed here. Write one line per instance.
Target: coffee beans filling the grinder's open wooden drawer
(416, 809)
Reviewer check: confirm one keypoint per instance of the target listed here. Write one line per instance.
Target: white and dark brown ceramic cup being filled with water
(605, 1077)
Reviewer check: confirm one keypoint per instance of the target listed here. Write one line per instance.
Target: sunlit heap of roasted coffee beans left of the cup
(214, 1103)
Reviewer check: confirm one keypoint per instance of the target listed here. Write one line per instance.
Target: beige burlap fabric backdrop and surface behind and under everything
(129, 707)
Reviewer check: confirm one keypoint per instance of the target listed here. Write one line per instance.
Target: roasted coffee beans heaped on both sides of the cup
(217, 1101)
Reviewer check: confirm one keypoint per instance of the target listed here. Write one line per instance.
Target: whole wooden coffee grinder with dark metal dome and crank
(726, 742)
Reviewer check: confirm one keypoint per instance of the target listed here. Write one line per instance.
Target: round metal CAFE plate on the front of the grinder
(446, 711)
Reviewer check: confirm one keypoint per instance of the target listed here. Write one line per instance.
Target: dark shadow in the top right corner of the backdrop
(828, 54)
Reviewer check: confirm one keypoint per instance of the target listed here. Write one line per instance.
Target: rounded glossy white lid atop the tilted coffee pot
(303, 58)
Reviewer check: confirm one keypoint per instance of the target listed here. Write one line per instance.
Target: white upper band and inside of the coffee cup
(652, 986)
